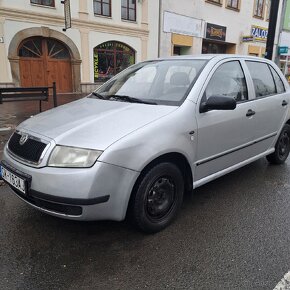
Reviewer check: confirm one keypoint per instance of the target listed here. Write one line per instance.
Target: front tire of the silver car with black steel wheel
(157, 198)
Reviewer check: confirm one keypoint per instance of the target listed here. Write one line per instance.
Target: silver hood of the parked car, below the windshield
(93, 123)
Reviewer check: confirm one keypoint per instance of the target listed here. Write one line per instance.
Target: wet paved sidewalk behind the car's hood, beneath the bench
(11, 114)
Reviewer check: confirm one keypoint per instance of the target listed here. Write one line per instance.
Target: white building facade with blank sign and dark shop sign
(214, 26)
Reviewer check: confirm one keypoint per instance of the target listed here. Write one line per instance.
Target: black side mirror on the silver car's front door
(218, 102)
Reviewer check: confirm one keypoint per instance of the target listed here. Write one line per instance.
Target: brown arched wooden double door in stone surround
(44, 61)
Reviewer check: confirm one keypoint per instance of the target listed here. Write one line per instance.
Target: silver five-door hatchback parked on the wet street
(154, 131)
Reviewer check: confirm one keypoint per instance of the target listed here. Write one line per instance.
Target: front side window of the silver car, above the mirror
(228, 80)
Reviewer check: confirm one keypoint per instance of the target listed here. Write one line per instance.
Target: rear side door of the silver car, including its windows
(271, 103)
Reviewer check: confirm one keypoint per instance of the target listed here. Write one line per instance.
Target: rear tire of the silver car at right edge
(282, 147)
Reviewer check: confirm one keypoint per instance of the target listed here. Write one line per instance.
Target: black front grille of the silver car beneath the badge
(31, 150)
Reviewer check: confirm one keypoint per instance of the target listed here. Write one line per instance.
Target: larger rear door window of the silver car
(262, 78)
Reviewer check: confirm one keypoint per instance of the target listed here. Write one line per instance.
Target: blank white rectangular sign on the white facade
(180, 24)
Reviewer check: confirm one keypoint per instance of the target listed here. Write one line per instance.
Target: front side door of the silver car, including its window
(224, 137)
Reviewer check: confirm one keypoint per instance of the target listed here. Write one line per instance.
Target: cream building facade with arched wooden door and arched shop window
(105, 37)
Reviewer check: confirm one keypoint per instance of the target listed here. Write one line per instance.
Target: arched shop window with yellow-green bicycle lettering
(110, 58)
